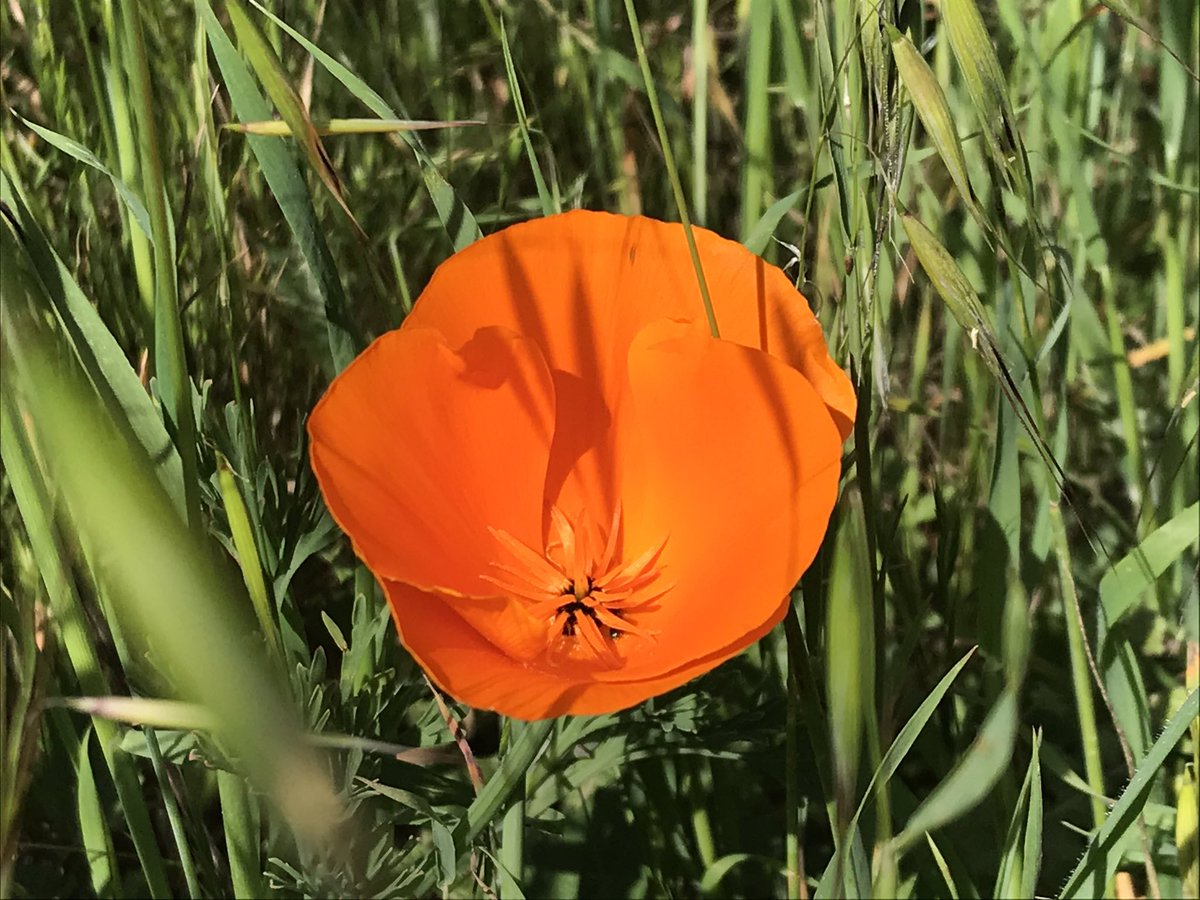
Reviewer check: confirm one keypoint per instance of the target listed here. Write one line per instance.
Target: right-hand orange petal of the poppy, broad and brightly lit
(734, 459)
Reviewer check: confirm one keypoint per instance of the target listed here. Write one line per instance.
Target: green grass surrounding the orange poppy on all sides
(982, 688)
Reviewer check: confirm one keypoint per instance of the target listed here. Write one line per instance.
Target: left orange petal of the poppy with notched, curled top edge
(421, 451)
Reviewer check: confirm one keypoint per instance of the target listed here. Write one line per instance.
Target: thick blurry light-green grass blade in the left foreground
(166, 589)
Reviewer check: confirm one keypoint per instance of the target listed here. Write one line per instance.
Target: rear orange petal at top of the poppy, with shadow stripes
(583, 285)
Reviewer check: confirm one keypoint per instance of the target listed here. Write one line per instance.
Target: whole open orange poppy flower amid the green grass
(574, 496)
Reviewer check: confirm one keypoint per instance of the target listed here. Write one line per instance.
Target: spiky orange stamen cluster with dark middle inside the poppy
(584, 599)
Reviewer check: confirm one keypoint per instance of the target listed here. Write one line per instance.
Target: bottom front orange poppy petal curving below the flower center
(475, 671)
